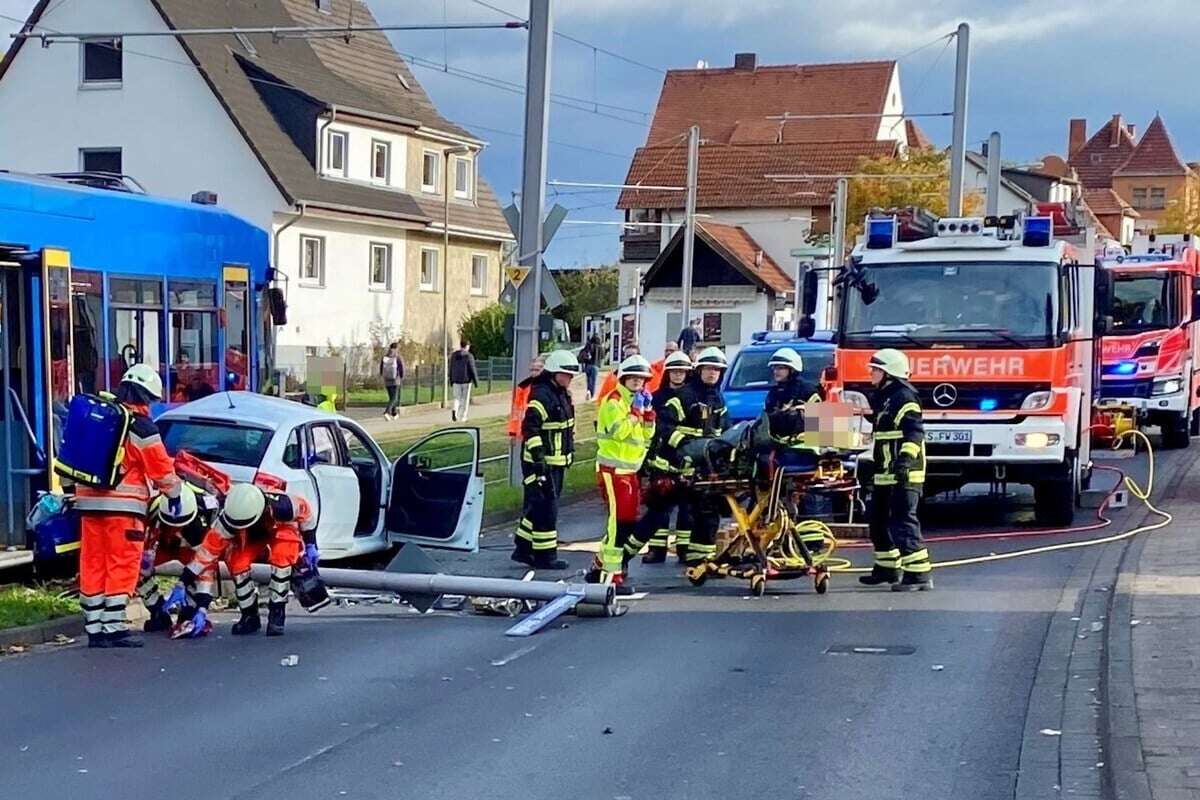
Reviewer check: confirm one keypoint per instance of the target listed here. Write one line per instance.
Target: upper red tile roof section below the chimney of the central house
(731, 105)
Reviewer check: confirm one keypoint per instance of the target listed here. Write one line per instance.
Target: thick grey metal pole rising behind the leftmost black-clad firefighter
(533, 199)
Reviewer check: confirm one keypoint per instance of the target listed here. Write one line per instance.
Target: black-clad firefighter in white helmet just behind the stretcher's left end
(704, 417)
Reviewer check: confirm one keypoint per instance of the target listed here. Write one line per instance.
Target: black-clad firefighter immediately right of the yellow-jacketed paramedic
(665, 486)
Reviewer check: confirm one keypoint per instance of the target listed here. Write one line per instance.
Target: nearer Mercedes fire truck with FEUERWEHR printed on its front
(997, 316)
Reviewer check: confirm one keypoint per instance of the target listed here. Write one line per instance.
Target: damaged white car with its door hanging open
(433, 495)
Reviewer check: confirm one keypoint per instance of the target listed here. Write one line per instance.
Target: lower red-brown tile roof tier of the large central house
(735, 176)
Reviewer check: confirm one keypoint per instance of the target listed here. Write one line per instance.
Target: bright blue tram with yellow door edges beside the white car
(95, 278)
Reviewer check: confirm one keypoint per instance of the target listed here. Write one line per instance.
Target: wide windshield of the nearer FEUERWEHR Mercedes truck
(1001, 304)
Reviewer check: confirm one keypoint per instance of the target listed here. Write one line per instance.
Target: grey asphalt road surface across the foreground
(694, 694)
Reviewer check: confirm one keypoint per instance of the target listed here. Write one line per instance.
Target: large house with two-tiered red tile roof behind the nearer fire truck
(773, 141)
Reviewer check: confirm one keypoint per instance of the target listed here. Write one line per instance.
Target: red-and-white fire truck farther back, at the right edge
(1151, 352)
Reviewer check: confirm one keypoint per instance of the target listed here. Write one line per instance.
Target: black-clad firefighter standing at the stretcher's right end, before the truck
(901, 555)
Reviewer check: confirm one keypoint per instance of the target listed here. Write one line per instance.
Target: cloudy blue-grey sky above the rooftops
(1035, 65)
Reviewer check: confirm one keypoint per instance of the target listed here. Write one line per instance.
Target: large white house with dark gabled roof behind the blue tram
(329, 145)
